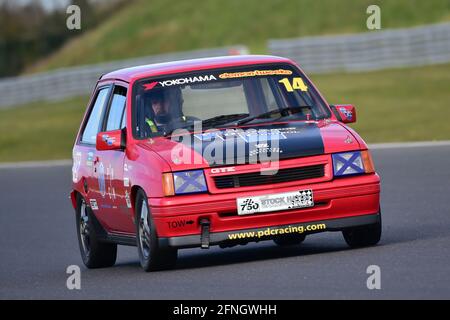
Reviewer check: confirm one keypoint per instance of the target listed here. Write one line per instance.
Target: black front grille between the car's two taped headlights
(256, 179)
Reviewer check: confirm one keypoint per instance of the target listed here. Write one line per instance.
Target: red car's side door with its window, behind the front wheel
(109, 165)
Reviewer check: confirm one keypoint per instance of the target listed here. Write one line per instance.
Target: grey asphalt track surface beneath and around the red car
(38, 242)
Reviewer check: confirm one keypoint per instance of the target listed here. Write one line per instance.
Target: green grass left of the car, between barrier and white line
(40, 131)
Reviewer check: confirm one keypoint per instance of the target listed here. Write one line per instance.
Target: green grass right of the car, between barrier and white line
(395, 105)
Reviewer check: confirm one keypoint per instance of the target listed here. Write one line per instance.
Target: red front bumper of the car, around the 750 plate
(180, 216)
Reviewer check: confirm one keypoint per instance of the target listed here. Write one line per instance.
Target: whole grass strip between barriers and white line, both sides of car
(392, 105)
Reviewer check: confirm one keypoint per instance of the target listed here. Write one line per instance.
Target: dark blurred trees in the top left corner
(29, 32)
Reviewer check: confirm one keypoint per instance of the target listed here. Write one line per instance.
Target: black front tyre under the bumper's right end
(363, 236)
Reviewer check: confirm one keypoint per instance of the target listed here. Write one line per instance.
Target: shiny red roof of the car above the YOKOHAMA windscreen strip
(129, 74)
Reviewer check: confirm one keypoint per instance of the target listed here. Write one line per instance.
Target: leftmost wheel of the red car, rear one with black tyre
(95, 254)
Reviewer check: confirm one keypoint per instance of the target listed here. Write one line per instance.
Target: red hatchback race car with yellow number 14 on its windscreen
(217, 151)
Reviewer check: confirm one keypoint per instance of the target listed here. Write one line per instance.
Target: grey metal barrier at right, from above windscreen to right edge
(368, 51)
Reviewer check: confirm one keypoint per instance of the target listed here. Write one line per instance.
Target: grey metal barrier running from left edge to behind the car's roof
(76, 81)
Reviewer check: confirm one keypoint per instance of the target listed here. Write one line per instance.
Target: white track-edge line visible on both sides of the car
(374, 146)
